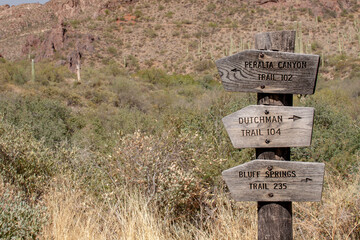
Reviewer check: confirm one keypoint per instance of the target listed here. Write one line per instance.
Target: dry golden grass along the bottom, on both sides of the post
(73, 215)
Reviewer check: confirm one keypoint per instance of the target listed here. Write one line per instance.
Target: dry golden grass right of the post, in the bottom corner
(338, 214)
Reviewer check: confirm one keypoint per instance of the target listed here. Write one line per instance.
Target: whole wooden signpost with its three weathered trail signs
(272, 127)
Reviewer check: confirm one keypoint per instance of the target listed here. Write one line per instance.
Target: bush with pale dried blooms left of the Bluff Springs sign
(160, 169)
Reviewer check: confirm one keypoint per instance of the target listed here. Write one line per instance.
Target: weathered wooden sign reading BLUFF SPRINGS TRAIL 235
(271, 180)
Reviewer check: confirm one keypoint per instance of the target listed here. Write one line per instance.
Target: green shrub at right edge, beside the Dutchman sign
(335, 138)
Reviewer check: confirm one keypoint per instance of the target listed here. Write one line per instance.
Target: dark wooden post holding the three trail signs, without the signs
(275, 218)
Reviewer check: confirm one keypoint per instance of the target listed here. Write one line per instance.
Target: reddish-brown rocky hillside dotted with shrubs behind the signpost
(179, 36)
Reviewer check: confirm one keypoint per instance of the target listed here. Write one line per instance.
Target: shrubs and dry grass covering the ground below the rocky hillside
(139, 155)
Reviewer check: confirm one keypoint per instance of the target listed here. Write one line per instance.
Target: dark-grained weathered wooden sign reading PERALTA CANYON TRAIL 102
(269, 72)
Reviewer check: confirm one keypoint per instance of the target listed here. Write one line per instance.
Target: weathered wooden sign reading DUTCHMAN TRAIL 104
(270, 126)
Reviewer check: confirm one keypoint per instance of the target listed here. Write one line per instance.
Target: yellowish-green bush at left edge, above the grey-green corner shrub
(25, 162)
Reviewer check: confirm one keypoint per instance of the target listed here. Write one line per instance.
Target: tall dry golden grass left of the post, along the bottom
(74, 215)
